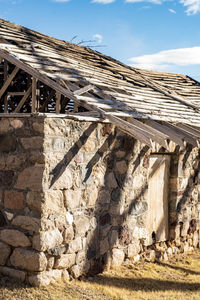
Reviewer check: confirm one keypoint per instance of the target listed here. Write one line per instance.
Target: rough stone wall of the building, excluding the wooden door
(74, 199)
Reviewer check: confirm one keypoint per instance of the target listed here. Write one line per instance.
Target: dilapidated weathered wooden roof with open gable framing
(48, 73)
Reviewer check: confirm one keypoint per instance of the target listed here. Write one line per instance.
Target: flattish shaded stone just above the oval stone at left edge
(27, 223)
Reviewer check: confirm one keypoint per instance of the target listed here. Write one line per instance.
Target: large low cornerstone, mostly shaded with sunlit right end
(29, 260)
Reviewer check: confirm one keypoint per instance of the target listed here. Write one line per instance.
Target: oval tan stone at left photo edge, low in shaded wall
(14, 238)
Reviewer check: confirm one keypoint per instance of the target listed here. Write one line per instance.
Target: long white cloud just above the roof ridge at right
(164, 59)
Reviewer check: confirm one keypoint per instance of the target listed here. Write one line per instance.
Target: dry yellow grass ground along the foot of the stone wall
(178, 279)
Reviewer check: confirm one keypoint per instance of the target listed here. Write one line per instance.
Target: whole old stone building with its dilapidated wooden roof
(99, 162)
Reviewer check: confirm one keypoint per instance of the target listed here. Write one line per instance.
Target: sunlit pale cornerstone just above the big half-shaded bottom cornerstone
(47, 240)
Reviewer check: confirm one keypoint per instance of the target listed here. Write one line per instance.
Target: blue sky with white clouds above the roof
(155, 34)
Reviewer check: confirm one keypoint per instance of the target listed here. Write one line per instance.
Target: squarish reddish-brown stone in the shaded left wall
(13, 200)
